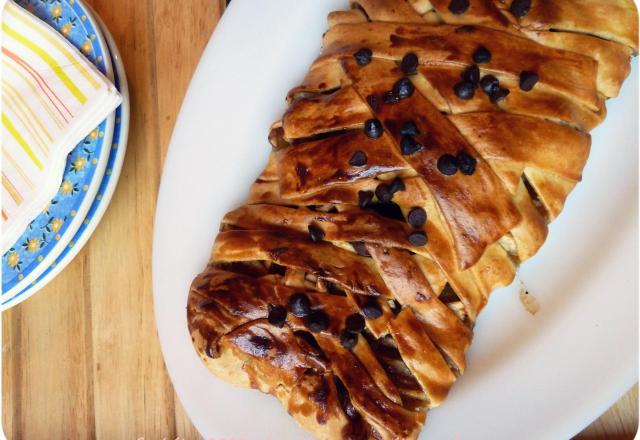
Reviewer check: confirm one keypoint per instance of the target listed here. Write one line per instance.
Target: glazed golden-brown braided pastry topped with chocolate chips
(418, 164)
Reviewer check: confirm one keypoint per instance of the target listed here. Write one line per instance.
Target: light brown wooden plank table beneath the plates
(81, 359)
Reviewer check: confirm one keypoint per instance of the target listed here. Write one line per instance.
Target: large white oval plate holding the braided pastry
(528, 377)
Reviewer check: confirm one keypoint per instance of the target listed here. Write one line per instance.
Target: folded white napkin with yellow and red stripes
(52, 98)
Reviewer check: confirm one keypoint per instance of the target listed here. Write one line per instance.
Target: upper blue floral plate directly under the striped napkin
(52, 230)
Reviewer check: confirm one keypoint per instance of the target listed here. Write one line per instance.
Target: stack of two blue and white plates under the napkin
(92, 168)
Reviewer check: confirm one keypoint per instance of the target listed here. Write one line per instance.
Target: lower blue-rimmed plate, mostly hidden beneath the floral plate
(107, 185)
